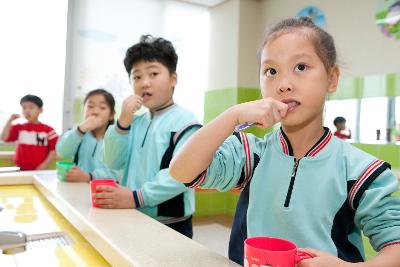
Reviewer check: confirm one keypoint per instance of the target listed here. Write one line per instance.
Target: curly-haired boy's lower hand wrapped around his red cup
(110, 197)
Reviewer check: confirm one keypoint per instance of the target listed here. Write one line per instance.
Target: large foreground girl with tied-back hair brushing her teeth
(298, 183)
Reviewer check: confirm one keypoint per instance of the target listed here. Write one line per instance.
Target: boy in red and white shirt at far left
(35, 141)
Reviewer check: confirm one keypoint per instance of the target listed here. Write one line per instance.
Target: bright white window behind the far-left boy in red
(32, 53)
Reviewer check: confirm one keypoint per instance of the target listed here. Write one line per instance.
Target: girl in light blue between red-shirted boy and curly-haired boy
(84, 143)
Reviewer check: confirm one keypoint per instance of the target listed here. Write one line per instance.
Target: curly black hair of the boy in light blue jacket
(150, 49)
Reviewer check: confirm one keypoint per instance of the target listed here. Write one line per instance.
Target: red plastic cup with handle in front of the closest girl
(265, 251)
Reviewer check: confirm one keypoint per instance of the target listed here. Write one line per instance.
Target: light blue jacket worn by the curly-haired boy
(143, 152)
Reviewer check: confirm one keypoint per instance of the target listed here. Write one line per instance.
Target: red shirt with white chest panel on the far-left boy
(34, 142)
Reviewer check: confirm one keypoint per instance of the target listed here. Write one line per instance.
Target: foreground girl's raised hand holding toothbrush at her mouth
(264, 112)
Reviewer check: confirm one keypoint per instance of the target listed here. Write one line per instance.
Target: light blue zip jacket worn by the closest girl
(323, 201)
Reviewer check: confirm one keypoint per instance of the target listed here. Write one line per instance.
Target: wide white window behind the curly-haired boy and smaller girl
(102, 32)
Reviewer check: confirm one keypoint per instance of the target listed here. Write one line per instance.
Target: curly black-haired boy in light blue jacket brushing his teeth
(143, 145)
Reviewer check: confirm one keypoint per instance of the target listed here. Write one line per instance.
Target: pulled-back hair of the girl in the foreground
(323, 42)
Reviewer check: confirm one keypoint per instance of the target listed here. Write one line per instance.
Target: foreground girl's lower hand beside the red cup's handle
(321, 259)
